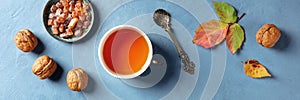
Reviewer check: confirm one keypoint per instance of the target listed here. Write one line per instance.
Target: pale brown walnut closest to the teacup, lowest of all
(77, 79)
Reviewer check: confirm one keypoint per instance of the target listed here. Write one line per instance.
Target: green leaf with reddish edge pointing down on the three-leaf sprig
(235, 37)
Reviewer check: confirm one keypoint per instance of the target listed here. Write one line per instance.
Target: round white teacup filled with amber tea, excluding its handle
(113, 49)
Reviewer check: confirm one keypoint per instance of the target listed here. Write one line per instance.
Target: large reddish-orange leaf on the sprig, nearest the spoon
(210, 33)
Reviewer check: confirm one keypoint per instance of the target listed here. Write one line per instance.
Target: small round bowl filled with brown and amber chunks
(68, 20)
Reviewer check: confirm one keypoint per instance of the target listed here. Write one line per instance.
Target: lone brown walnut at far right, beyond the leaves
(268, 35)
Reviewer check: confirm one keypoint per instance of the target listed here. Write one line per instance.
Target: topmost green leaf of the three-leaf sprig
(226, 12)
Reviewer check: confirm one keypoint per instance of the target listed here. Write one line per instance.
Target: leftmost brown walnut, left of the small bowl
(25, 40)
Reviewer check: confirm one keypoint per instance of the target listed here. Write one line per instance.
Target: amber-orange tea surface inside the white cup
(125, 51)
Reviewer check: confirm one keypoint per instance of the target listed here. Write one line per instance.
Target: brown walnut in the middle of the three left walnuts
(44, 67)
